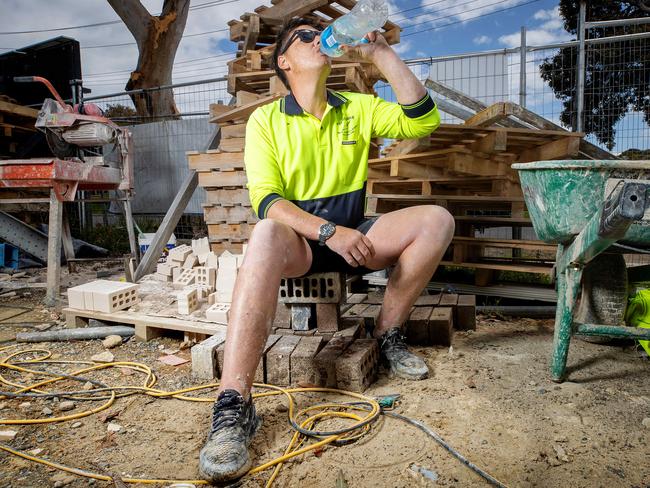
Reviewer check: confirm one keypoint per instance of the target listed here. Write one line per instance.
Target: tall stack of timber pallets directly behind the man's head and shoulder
(252, 83)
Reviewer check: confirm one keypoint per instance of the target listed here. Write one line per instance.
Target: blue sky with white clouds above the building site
(477, 25)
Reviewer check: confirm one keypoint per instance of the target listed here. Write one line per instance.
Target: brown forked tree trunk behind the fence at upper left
(158, 38)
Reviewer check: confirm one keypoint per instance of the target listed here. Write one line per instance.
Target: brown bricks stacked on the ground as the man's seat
(310, 344)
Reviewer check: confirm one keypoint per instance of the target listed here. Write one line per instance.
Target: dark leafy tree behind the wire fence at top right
(617, 75)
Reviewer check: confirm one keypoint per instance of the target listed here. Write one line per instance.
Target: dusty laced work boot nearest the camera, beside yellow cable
(225, 455)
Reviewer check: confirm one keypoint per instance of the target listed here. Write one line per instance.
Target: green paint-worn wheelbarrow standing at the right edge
(594, 211)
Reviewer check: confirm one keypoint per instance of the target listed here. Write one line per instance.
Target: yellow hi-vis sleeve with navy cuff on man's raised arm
(395, 121)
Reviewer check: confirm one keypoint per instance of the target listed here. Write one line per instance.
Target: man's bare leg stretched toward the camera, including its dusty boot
(274, 251)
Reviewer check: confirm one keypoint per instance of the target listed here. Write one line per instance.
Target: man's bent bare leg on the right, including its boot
(414, 239)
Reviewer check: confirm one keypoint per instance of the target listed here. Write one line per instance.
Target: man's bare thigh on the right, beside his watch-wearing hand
(393, 232)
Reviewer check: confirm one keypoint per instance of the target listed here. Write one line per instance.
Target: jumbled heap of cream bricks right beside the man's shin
(201, 276)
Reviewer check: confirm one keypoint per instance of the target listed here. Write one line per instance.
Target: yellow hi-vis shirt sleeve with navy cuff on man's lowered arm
(262, 170)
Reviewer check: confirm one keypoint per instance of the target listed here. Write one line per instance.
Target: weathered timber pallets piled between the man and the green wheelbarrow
(466, 169)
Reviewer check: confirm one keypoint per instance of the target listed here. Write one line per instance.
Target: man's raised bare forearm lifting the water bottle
(405, 84)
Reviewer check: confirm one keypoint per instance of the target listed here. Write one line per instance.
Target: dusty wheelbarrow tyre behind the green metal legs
(604, 294)
